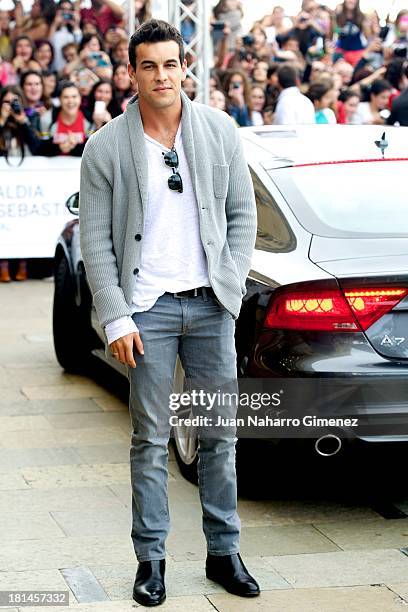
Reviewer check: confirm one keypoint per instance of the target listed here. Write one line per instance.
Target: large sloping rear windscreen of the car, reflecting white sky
(341, 200)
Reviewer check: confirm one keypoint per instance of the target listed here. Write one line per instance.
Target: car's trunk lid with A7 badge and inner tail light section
(376, 271)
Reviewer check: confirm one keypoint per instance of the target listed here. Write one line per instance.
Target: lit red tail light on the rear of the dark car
(319, 308)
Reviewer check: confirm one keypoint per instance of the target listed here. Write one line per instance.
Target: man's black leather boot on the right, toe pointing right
(230, 572)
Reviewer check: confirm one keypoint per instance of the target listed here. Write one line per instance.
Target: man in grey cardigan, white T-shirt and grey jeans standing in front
(167, 227)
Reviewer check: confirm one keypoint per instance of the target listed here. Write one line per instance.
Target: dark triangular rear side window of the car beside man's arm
(273, 233)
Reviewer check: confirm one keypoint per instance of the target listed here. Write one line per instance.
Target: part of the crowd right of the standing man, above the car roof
(319, 66)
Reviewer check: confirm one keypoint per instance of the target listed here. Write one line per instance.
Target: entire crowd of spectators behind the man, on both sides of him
(63, 69)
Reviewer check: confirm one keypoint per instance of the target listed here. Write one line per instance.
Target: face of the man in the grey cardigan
(158, 73)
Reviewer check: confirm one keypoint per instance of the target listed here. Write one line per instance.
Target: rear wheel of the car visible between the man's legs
(185, 441)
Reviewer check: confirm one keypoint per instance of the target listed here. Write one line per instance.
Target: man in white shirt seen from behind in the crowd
(293, 107)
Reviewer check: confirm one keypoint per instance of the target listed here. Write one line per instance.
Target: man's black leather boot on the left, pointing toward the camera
(149, 589)
